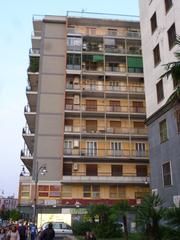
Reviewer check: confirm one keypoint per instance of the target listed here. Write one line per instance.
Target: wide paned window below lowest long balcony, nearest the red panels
(91, 191)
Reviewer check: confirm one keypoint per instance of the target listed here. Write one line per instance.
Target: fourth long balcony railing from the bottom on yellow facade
(103, 108)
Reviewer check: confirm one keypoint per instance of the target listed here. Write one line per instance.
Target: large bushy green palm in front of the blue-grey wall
(149, 214)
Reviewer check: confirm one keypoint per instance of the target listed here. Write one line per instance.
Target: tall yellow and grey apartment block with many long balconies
(85, 114)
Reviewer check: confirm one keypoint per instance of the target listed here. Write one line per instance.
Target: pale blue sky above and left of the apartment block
(15, 42)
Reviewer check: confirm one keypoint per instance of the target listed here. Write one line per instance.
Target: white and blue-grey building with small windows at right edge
(160, 22)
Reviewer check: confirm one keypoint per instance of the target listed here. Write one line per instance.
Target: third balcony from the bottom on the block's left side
(30, 115)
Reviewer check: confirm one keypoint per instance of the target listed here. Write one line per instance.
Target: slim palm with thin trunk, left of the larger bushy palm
(122, 208)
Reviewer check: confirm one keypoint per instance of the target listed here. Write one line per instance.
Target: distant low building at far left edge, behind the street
(8, 203)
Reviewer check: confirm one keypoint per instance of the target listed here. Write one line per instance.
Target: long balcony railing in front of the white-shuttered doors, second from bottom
(94, 152)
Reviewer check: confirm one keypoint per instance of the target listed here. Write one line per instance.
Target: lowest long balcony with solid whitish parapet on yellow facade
(104, 177)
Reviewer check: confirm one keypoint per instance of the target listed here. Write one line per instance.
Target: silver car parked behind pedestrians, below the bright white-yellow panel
(60, 228)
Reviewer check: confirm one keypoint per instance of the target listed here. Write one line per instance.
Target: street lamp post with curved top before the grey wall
(42, 170)
